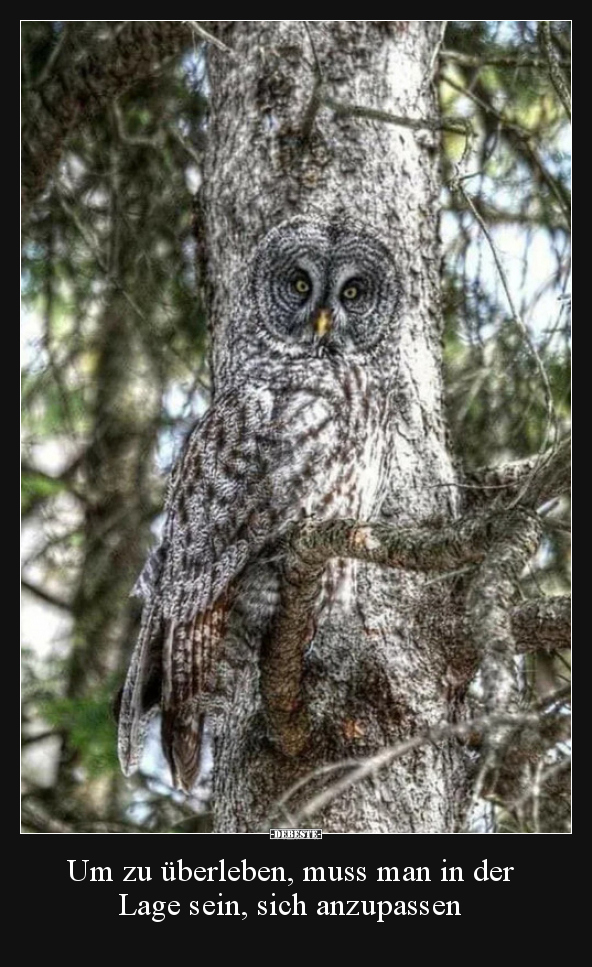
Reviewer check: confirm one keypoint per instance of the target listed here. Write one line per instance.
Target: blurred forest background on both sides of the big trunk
(115, 368)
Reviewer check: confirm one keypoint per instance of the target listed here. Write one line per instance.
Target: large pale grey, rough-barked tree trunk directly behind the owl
(276, 149)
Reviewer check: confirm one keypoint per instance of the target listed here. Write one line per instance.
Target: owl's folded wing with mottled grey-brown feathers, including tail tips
(247, 472)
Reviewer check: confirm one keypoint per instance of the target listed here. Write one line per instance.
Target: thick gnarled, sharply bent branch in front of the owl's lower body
(502, 542)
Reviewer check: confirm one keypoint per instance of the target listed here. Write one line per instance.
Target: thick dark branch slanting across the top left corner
(114, 64)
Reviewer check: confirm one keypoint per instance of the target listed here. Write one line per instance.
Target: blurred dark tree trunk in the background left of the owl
(116, 531)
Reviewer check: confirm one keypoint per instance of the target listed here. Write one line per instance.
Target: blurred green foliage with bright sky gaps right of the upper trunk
(516, 174)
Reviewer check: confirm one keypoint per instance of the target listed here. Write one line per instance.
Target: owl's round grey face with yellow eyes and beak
(325, 287)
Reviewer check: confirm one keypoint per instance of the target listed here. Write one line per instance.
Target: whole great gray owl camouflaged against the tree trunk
(298, 427)
